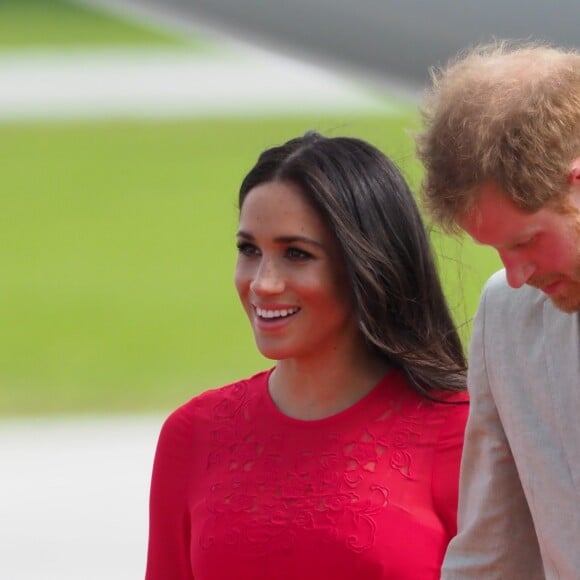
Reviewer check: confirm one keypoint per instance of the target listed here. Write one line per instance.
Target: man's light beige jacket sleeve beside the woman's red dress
(496, 537)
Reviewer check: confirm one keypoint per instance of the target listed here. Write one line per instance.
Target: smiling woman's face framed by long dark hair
(290, 276)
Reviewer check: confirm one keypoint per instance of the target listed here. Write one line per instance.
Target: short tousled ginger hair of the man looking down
(506, 113)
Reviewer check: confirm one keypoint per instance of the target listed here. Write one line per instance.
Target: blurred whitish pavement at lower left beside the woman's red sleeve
(73, 497)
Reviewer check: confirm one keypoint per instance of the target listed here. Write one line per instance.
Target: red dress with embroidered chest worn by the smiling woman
(241, 491)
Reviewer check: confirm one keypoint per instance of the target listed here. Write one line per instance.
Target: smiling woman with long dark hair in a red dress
(341, 461)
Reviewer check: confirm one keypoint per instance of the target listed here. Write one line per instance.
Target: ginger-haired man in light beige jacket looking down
(501, 150)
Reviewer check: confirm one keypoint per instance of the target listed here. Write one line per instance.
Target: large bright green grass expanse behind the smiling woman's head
(117, 253)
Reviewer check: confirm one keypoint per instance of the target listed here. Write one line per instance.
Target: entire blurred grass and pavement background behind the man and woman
(126, 127)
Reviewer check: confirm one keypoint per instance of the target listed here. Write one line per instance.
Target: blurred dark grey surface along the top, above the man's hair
(395, 39)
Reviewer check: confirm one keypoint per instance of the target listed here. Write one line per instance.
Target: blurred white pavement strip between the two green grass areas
(172, 84)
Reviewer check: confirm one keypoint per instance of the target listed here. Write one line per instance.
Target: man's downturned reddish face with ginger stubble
(541, 249)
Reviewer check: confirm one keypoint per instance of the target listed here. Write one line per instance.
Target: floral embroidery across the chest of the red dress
(330, 485)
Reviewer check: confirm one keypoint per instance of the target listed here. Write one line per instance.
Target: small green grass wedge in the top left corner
(60, 23)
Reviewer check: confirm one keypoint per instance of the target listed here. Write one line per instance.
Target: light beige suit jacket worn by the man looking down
(519, 512)
